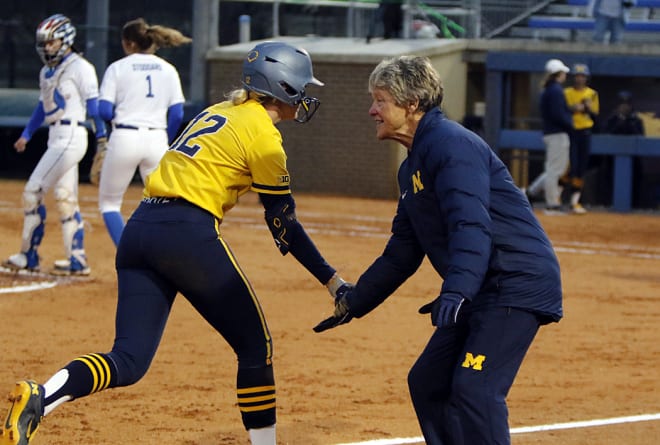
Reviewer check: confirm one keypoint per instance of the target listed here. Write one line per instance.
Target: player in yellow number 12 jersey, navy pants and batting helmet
(172, 243)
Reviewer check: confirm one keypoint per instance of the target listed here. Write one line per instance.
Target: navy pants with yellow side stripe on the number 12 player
(170, 247)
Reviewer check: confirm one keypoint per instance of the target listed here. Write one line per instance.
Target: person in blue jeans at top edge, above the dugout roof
(609, 15)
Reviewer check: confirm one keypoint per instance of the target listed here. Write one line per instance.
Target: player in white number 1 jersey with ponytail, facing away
(141, 94)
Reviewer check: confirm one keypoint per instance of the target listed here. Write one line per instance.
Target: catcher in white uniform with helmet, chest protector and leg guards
(68, 92)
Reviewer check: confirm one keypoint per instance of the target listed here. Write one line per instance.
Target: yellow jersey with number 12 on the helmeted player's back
(224, 152)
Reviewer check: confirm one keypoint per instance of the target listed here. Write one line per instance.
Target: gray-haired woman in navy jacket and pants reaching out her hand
(499, 278)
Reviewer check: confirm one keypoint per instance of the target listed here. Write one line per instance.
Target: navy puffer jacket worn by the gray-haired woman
(459, 207)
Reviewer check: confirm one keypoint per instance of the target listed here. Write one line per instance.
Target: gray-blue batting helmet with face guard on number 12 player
(282, 71)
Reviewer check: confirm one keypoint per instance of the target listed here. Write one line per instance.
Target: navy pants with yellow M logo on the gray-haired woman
(459, 383)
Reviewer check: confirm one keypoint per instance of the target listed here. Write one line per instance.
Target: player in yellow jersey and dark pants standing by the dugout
(583, 101)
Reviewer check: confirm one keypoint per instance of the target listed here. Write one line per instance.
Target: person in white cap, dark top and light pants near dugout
(557, 125)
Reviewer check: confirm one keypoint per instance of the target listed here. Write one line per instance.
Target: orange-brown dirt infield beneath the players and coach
(346, 385)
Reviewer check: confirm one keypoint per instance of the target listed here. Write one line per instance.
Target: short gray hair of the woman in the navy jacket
(408, 79)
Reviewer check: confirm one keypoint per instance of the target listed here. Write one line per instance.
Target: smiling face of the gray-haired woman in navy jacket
(393, 121)
